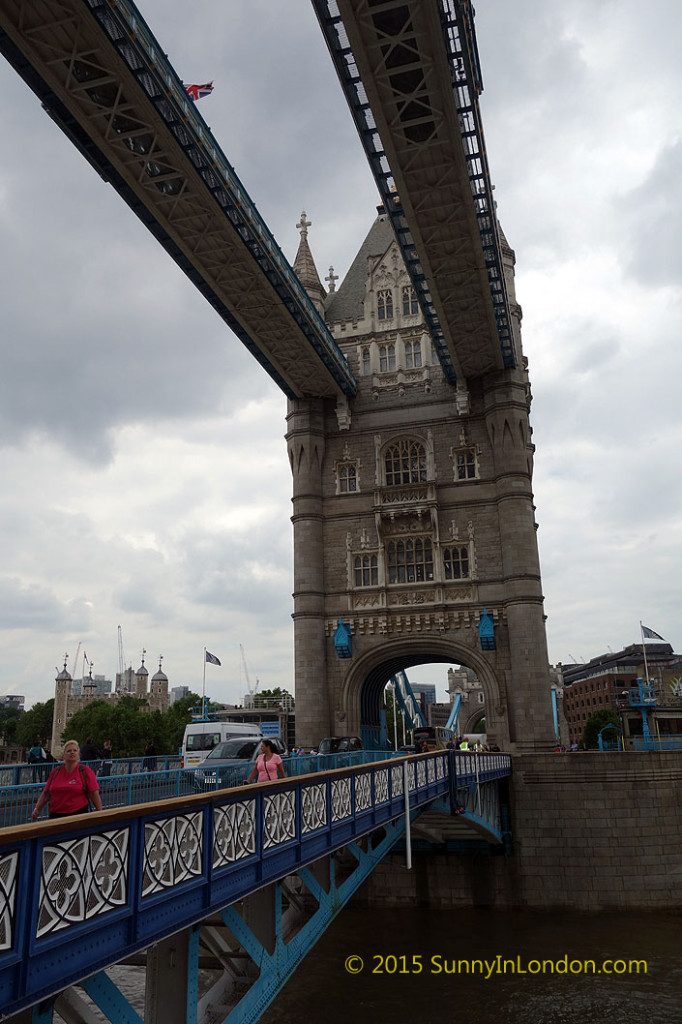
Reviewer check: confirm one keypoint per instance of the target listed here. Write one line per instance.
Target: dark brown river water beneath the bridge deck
(485, 943)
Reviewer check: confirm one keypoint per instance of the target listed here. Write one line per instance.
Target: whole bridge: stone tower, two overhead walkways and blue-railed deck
(414, 529)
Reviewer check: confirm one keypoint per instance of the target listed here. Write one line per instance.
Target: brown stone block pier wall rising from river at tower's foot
(590, 832)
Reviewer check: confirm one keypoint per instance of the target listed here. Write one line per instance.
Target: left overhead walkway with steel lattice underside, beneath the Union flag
(105, 80)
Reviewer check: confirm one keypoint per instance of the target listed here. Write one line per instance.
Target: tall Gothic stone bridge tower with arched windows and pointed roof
(413, 517)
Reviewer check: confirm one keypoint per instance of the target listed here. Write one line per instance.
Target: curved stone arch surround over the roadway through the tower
(362, 694)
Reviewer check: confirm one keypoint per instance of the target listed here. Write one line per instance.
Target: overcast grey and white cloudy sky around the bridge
(146, 481)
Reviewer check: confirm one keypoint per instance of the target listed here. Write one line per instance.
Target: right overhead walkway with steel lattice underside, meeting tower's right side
(410, 72)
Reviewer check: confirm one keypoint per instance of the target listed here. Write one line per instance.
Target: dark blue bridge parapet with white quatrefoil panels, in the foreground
(78, 895)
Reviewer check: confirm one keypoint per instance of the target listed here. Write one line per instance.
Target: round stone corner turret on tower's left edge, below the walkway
(306, 440)
